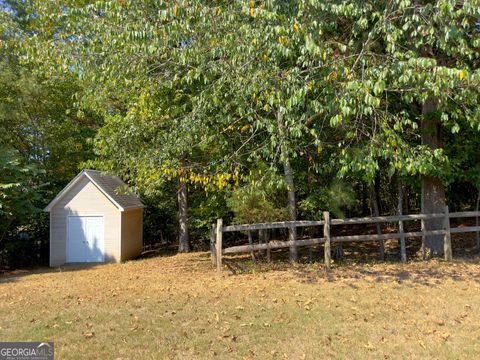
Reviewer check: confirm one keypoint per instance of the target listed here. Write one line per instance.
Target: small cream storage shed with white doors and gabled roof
(95, 218)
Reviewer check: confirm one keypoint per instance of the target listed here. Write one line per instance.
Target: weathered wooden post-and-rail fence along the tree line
(217, 251)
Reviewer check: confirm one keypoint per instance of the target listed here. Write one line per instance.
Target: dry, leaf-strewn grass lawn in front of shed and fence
(177, 307)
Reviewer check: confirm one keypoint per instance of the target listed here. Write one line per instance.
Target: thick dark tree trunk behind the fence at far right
(433, 192)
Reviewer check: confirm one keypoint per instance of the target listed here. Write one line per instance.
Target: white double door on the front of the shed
(85, 239)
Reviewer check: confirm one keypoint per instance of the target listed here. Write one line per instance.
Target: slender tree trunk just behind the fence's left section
(288, 171)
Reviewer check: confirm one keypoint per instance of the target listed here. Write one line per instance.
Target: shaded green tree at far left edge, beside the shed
(43, 138)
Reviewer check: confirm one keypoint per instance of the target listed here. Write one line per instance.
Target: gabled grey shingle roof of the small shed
(110, 185)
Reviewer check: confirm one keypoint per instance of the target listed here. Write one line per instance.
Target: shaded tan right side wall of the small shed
(132, 233)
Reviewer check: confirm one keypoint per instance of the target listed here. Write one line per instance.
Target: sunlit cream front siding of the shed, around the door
(82, 200)
